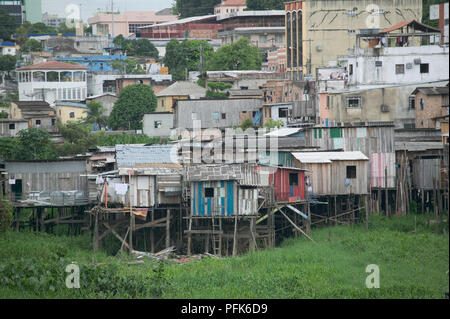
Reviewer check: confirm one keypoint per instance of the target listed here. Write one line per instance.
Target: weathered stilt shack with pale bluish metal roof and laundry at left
(150, 176)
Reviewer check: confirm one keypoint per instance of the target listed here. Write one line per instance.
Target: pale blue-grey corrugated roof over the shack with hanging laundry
(138, 155)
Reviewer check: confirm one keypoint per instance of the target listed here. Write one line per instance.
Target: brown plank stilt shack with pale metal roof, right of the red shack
(335, 173)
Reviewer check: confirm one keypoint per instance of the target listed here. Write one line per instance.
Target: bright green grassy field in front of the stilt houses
(412, 265)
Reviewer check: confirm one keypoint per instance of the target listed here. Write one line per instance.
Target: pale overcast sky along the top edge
(89, 7)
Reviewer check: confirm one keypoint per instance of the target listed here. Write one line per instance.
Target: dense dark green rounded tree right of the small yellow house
(134, 101)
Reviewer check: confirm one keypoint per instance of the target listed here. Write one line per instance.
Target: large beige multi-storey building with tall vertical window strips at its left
(320, 31)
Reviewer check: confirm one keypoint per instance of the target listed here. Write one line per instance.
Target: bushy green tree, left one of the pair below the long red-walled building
(189, 55)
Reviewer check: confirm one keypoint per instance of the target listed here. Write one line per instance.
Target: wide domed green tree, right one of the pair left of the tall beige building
(240, 55)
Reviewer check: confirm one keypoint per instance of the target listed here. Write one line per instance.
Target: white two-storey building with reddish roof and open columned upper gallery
(52, 81)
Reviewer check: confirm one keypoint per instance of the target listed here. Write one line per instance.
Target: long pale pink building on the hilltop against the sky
(126, 24)
